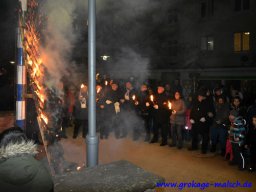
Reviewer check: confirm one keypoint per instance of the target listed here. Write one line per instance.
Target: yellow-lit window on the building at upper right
(242, 41)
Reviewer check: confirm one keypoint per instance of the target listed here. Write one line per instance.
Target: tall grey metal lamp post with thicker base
(92, 139)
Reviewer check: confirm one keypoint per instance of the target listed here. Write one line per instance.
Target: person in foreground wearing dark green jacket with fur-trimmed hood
(19, 170)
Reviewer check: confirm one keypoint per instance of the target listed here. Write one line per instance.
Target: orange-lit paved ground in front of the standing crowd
(172, 164)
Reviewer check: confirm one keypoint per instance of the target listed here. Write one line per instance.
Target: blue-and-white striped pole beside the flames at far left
(21, 84)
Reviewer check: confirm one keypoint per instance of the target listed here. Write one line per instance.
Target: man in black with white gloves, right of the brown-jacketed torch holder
(199, 119)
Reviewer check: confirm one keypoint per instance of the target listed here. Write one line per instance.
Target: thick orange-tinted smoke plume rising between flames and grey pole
(59, 38)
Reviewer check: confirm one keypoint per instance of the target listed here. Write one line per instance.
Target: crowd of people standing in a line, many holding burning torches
(219, 122)
